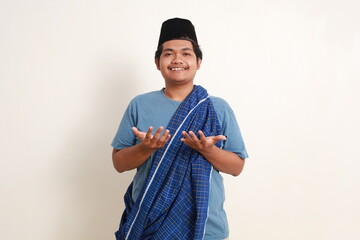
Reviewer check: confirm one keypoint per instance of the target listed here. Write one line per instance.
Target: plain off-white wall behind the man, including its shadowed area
(289, 69)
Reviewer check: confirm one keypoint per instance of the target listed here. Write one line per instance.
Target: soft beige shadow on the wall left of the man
(93, 201)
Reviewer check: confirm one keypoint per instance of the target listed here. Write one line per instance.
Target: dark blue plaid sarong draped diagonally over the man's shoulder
(173, 204)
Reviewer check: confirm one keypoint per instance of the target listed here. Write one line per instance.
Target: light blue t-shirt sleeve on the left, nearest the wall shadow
(124, 136)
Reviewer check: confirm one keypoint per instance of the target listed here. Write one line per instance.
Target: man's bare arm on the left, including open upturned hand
(132, 157)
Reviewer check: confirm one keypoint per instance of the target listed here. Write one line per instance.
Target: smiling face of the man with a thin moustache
(178, 63)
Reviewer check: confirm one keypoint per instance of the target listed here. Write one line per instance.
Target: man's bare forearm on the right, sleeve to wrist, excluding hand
(223, 161)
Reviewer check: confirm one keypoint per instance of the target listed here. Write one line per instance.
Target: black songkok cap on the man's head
(177, 28)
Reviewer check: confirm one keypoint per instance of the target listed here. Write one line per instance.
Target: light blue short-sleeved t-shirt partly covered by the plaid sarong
(155, 109)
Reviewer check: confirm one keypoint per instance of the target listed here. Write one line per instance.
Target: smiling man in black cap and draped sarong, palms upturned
(177, 192)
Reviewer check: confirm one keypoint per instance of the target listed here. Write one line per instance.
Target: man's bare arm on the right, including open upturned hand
(222, 160)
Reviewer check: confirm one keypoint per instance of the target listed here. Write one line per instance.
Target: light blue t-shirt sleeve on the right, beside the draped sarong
(234, 141)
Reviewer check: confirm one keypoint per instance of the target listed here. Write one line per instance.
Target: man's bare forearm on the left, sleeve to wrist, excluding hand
(131, 157)
